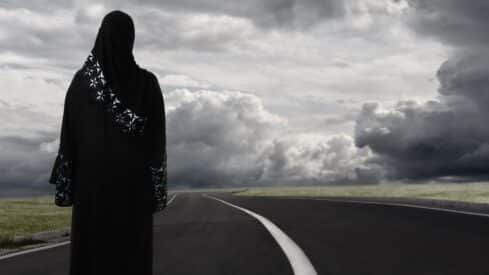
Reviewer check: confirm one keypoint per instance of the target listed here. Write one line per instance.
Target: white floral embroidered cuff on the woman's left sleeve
(62, 179)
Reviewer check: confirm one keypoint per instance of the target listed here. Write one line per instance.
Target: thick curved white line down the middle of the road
(297, 258)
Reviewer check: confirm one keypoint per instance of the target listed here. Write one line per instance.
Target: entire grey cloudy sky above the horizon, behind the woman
(267, 92)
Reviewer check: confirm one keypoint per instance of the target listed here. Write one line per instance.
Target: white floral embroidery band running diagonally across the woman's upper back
(126, 119)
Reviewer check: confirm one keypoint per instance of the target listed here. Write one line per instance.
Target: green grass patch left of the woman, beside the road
(23, 216)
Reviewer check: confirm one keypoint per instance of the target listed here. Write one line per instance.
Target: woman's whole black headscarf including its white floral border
(114, 78)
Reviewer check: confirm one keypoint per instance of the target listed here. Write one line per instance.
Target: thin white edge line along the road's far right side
(387, 204)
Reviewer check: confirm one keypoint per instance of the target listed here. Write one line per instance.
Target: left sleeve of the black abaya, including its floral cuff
(62, 170)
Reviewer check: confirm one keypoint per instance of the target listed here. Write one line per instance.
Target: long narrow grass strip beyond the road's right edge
(467, 192)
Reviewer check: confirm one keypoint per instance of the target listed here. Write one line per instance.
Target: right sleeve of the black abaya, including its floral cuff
(157, 146)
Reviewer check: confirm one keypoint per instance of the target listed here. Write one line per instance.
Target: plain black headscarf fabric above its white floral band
(113, 50)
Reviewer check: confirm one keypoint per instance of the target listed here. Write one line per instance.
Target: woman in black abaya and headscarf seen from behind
(111, 163)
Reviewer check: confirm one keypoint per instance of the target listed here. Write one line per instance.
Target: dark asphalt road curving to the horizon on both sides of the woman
(198, 234)
